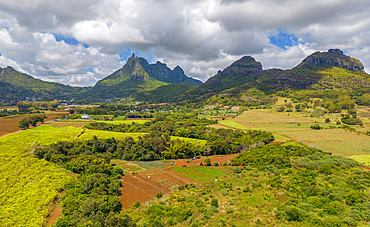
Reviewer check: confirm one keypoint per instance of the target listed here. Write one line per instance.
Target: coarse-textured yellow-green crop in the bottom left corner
(28, 187)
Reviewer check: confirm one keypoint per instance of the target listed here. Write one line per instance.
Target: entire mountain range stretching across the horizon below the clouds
(157, 83)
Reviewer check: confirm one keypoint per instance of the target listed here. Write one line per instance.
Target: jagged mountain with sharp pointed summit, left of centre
(138, 75)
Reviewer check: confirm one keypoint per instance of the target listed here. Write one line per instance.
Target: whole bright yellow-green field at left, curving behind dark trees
(28, 185)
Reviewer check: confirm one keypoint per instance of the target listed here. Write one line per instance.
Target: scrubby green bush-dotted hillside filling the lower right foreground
(267, 194)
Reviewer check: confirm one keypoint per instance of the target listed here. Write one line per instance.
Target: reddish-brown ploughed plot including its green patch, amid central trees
(146, 183)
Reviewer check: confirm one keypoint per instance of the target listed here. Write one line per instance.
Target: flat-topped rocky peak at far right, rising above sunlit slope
(334, 57)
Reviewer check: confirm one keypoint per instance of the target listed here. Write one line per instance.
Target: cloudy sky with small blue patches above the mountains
(80, 42)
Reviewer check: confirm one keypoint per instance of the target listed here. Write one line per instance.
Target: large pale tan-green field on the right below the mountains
(297, 128)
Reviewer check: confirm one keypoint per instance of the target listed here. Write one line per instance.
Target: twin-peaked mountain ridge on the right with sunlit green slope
(319, 71)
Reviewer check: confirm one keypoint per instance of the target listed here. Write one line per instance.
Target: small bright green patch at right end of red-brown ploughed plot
(199, 173)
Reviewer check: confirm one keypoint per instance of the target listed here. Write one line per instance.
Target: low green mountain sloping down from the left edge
(18, 86)
